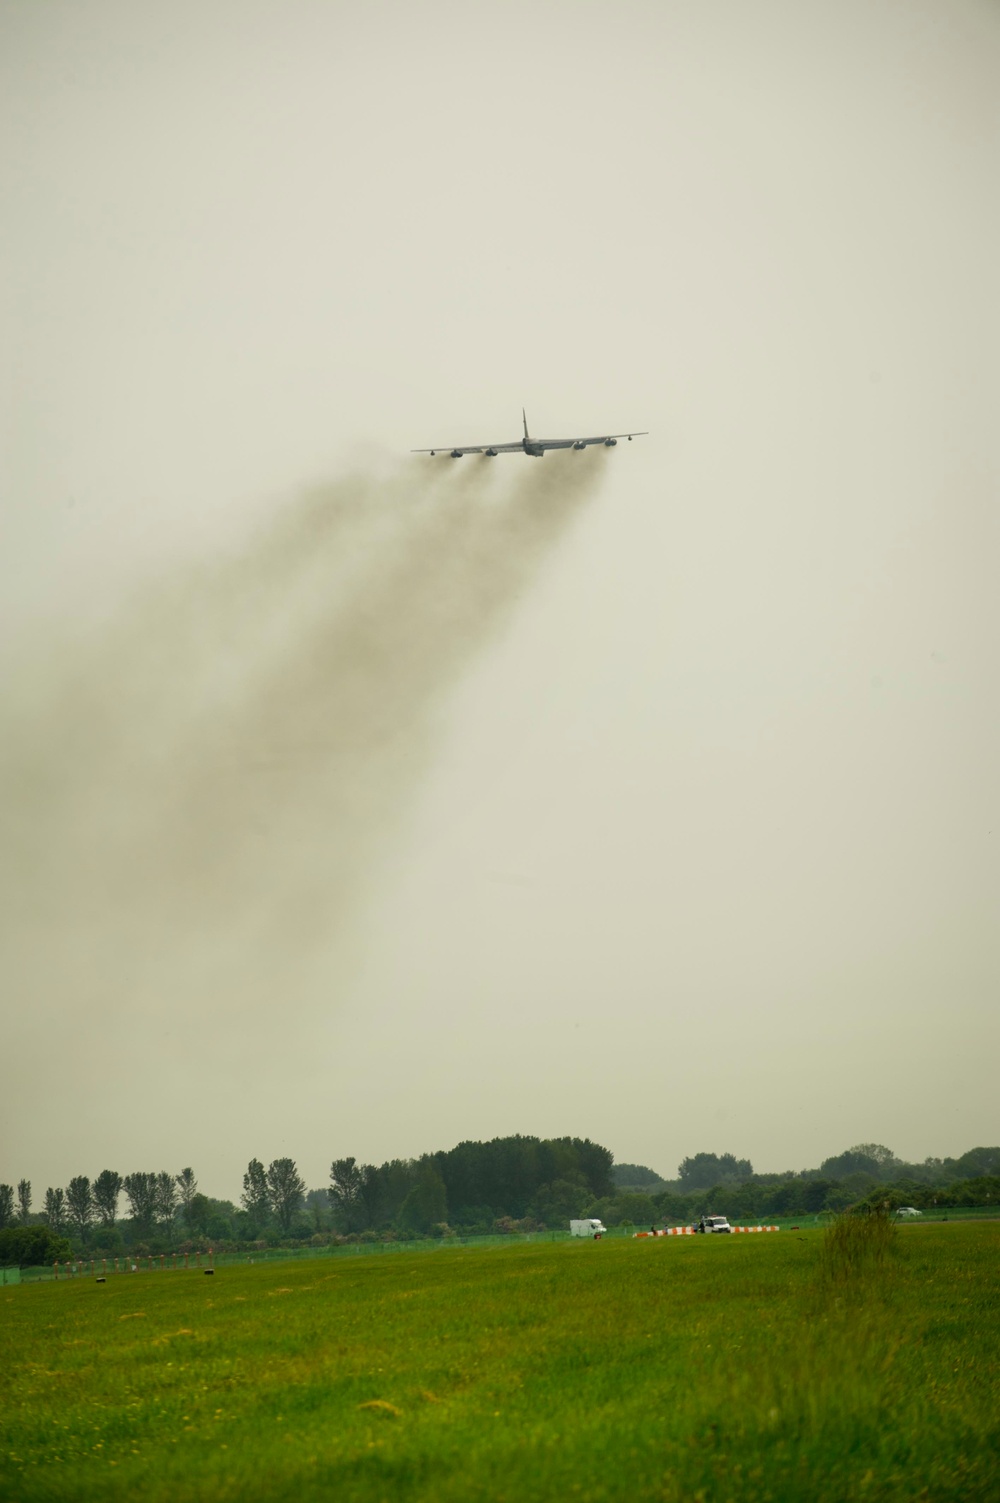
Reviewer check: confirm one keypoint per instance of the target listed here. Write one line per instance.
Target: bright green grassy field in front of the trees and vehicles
(683, 1368)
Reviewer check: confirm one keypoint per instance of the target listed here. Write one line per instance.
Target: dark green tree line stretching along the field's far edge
(508, 1184)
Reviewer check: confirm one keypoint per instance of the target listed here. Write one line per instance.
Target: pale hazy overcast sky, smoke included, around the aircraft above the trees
(360, 803)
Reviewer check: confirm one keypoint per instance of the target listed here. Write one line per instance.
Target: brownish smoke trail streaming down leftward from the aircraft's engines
(211, 785)
